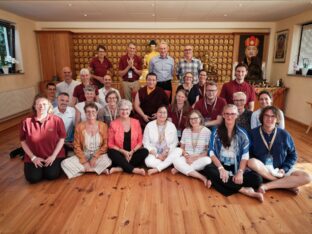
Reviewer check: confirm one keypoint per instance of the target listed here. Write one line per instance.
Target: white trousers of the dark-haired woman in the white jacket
(153, 162)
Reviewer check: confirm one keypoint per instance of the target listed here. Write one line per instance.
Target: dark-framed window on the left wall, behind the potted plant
(7, 42)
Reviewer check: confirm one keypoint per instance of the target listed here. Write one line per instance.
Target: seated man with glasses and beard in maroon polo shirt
(211, 106)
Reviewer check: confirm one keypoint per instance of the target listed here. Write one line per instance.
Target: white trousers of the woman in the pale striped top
(182, 166)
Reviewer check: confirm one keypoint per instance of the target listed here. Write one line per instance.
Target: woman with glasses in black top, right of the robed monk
(192, 91)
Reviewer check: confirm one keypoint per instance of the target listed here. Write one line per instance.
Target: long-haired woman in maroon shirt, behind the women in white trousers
(179, 111)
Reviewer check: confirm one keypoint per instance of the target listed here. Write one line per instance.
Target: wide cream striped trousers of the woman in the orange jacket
(73, 168)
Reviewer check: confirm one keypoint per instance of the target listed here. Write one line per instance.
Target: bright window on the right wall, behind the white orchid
(305, 49)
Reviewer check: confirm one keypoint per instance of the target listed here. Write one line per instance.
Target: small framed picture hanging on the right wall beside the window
(280, 47)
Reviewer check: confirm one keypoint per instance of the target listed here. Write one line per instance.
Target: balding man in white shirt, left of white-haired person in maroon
(68, 84)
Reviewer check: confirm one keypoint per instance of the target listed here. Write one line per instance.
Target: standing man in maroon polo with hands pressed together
(130, 69)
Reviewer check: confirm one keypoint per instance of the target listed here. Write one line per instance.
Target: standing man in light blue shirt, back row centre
(163, 67)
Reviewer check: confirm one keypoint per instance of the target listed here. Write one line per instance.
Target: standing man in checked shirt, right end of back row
(189, 64)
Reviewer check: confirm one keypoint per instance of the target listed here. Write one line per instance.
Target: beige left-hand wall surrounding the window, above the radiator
(29, 52)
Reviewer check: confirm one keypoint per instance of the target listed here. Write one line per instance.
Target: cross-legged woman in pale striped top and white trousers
(194, 145)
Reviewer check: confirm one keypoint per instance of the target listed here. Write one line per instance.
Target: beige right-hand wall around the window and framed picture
(300, 88)
